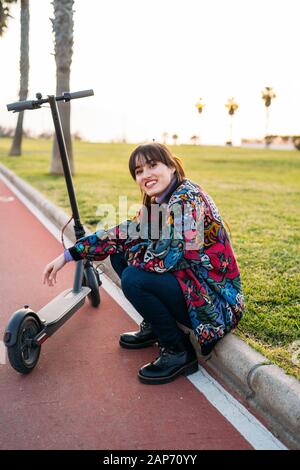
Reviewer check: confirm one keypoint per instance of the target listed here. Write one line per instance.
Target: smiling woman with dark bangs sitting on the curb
(175, 262)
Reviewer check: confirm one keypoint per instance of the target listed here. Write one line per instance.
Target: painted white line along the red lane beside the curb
(240, 418)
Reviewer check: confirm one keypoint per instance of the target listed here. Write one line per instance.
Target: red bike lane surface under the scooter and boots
(84, 392)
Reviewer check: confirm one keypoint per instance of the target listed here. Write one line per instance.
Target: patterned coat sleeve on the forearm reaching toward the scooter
(100, 244)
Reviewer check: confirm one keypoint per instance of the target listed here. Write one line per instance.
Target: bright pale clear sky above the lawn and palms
(149, 61)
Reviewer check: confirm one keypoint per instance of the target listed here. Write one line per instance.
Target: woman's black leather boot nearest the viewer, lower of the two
(175, 360)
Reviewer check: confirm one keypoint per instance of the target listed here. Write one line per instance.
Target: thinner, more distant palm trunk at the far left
(16, 148)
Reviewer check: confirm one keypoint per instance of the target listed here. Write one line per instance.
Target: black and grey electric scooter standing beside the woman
(28, 330)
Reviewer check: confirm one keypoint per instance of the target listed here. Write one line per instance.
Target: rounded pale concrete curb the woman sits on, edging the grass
(266, 387)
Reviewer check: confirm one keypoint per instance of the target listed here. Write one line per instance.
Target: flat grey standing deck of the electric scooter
(66, 302)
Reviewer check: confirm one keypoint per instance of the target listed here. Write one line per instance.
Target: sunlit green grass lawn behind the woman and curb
(258, 194)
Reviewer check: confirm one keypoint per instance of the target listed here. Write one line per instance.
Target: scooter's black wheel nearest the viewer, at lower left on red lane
(24, 354)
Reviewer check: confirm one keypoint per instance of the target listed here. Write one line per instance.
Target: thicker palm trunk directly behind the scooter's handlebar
(62, 25)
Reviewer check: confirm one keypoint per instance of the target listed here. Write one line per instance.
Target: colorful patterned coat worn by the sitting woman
(208, 274)
